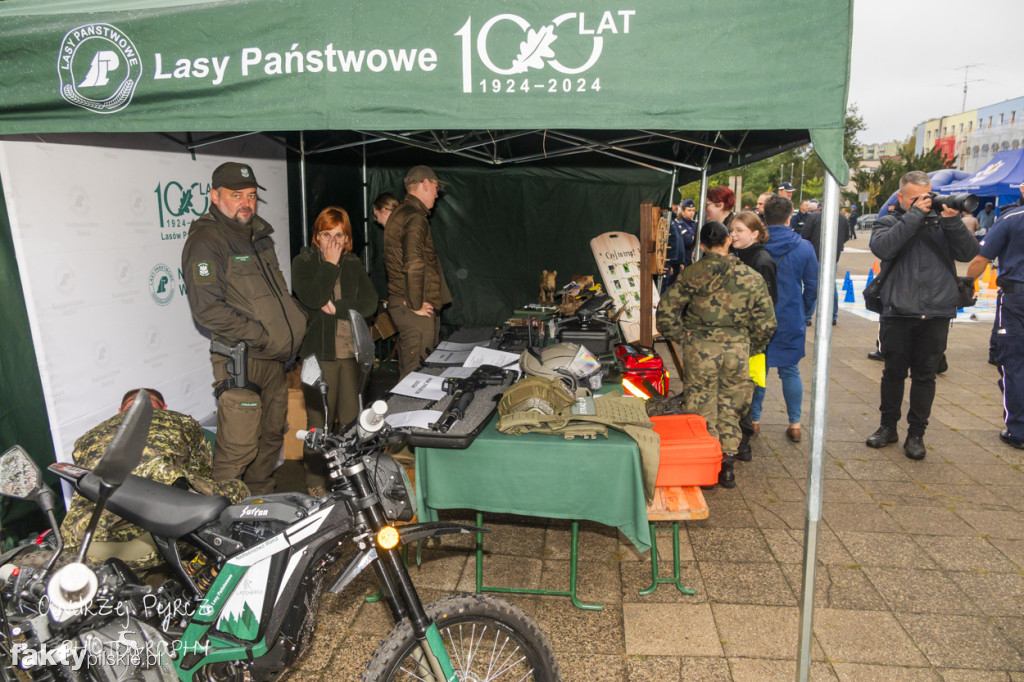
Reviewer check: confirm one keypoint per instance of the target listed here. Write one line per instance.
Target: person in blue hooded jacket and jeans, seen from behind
(797, 272)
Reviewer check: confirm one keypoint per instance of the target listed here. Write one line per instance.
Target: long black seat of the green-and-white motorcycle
(163, 510)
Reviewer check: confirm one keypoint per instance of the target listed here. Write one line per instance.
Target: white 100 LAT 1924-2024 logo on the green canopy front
(538, 51)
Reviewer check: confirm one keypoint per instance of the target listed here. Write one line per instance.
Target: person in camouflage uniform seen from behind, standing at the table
(720, 313)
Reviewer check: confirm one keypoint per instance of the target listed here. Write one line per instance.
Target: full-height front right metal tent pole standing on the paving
(820, 416)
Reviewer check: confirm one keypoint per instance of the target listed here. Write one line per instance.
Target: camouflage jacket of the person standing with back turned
(718, 300)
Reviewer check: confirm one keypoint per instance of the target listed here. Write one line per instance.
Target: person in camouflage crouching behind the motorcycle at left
(177, 453)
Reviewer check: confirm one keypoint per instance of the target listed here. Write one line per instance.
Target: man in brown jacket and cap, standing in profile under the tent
(417, 290)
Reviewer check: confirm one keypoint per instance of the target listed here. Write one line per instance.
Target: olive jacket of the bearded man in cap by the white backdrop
(236, 288)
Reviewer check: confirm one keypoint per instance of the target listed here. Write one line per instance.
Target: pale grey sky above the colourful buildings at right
(909, 57)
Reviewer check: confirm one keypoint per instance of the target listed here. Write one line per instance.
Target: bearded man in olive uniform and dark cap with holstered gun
(238, 292)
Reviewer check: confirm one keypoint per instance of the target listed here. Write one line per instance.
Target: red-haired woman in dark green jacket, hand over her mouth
(329, 281)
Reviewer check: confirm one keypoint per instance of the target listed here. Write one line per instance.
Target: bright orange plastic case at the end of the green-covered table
(690, 455)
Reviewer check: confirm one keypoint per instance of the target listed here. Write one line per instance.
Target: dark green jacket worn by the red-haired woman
(314, 284)
